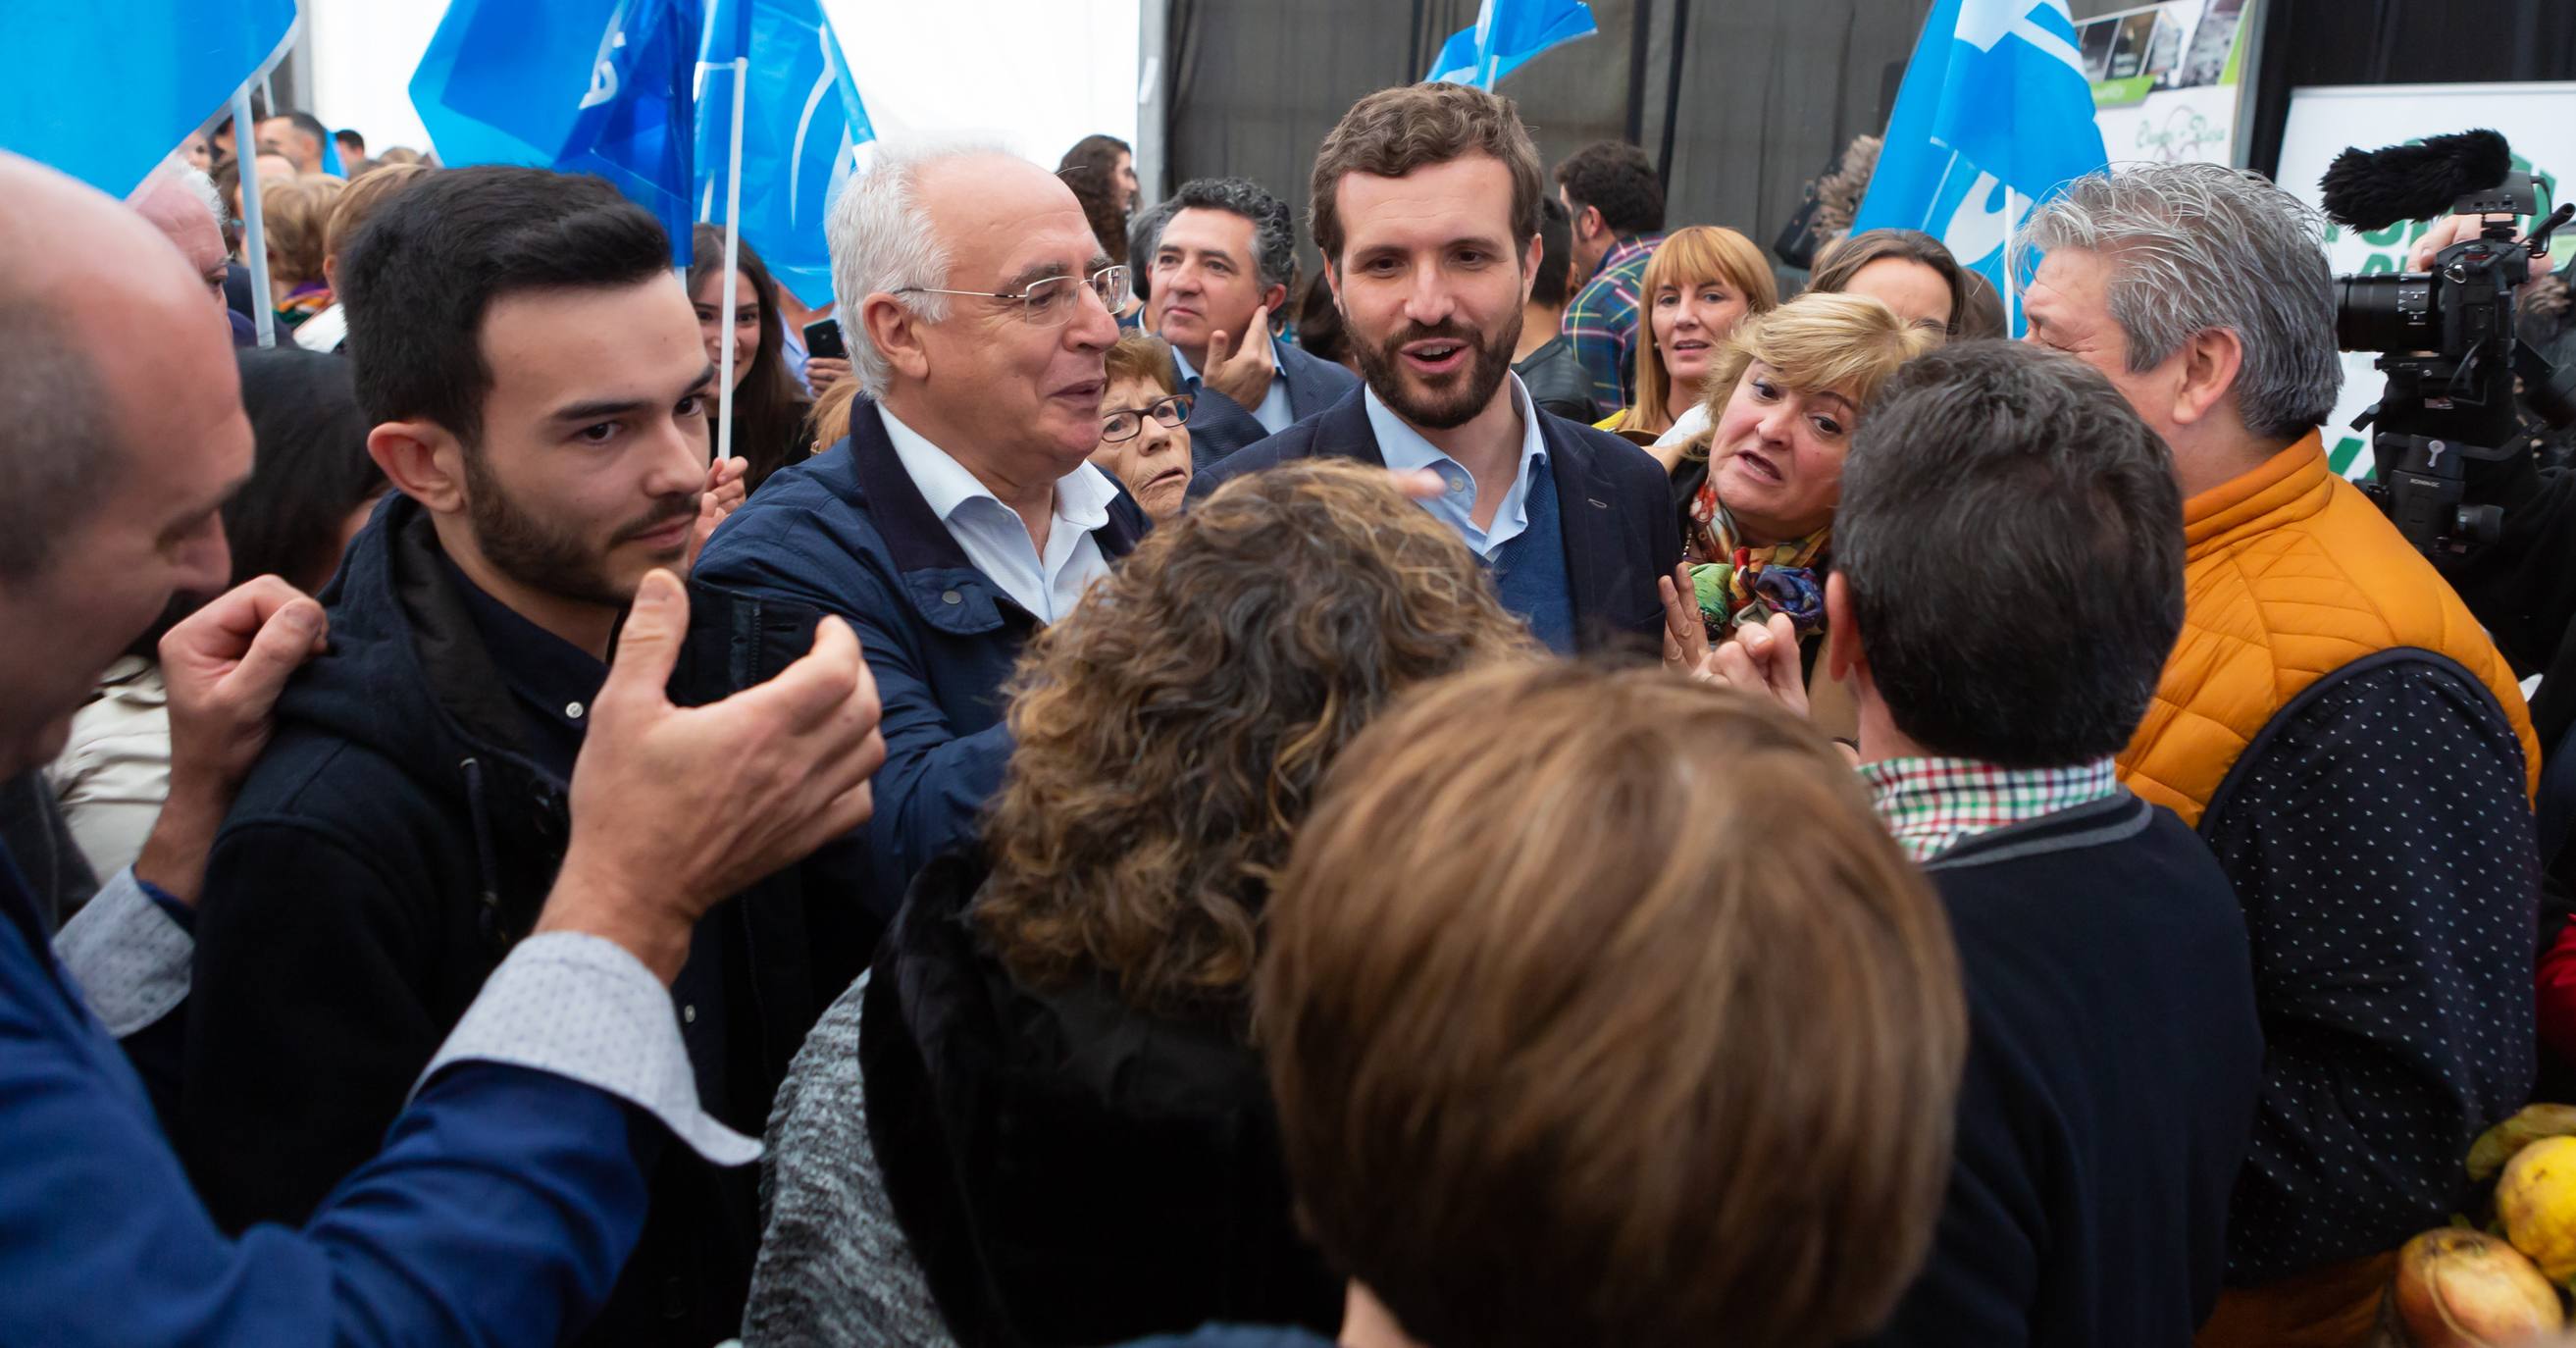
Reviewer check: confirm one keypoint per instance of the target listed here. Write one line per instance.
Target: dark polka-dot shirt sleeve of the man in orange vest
(2382, 847)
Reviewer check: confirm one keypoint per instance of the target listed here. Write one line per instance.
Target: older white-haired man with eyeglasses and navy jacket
(962, 512)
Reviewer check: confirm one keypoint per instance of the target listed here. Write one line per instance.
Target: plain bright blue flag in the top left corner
(109, 89)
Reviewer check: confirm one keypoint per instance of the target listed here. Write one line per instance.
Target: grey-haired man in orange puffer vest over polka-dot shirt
(2335, 723)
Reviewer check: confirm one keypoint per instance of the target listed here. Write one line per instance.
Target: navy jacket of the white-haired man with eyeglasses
(851, 535)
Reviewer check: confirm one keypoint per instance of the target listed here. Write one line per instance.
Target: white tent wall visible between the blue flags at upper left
(1037, 73)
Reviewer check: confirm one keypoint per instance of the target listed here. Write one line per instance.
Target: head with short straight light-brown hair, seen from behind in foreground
(1560, 1063)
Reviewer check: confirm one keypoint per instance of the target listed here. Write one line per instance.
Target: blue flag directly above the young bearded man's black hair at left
(578, 86)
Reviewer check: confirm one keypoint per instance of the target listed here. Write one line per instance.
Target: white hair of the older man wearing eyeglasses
(882, 244)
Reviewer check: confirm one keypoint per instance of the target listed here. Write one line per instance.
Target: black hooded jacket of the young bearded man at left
(388, 852)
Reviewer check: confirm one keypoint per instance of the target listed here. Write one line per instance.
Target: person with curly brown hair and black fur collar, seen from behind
(1052, 1125)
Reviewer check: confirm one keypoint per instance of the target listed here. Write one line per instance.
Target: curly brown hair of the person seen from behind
(1171, 733)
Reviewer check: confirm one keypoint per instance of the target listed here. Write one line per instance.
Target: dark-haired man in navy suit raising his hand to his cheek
(1220, 269)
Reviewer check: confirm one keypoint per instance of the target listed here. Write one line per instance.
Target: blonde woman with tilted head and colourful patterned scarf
(1758, 488)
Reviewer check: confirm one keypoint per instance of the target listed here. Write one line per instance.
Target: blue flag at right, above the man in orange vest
(1993, 99)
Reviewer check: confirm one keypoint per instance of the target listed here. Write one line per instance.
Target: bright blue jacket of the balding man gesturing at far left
(498, 1210)
